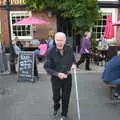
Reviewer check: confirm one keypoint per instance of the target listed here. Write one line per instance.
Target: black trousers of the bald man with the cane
(61, 89)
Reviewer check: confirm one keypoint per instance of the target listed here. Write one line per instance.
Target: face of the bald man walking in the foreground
(60, 41)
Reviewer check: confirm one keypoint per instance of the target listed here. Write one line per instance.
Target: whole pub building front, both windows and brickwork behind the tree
(29, 32)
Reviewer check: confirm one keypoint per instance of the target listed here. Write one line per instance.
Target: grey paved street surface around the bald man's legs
(28, 101)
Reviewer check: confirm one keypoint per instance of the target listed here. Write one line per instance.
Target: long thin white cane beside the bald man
(76, 90)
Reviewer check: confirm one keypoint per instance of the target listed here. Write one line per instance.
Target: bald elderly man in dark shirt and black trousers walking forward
(60, 60)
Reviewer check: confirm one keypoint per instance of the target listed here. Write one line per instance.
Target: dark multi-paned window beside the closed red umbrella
(98, 28)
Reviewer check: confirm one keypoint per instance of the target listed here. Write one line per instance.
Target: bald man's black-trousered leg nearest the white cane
(66, 90)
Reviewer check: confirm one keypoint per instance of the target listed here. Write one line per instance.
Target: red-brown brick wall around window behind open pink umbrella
(41, 30)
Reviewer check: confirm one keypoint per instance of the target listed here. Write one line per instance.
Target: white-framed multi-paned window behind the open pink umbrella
(21, 31)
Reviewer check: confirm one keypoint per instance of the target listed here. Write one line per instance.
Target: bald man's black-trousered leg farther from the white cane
(56, 85)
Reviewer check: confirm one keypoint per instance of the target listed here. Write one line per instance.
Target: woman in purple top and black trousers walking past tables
(85, 51)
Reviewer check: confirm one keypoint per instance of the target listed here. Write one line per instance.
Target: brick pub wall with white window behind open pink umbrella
(24, 33)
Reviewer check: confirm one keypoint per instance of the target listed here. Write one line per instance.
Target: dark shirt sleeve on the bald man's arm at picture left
(49, 66)
